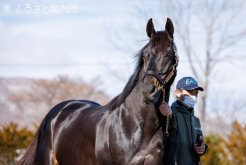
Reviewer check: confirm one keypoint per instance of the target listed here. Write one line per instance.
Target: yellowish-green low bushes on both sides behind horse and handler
(223, 150)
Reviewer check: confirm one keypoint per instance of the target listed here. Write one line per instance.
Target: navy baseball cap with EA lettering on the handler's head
(188, 83)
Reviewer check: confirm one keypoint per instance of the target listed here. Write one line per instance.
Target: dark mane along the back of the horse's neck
(119, 99)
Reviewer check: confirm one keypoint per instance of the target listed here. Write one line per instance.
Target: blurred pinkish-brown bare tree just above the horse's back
(33, 104)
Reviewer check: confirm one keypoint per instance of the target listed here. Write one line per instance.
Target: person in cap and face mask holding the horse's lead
(185, 143)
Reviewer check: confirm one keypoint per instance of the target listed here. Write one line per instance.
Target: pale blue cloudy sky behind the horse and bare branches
(75, 42)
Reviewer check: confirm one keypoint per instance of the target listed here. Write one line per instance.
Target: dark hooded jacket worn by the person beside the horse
(180, 143)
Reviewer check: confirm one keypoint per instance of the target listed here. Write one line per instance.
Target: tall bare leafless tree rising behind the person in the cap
(207, 31)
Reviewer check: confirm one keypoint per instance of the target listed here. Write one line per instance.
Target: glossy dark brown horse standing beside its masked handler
(128, 130)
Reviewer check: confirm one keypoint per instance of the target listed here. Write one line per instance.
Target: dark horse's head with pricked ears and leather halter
(160, 61)
